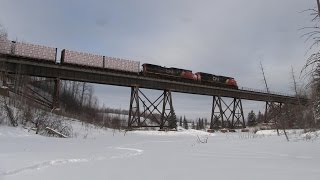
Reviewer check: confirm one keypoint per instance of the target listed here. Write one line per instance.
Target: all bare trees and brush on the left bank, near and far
(77, 101)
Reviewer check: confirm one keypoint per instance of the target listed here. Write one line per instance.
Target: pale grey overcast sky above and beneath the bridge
(215, 36)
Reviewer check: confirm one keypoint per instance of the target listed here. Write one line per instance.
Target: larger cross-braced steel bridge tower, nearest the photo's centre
(144, 112)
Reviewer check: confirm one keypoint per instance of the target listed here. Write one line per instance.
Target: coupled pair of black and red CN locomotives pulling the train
(188, 76)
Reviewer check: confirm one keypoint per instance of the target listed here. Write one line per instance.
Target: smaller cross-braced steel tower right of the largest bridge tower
(231, 116)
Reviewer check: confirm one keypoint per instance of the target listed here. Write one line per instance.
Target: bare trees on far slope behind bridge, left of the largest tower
(77, 100)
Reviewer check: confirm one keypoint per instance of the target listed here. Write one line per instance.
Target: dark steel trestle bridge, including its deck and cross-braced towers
(142, 108)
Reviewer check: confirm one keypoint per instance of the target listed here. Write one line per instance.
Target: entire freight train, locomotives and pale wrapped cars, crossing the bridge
(68, 57)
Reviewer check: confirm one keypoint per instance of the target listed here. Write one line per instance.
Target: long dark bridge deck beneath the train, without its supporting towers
(28, 66)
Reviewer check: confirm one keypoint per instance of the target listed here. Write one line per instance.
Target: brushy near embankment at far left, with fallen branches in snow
(21, 107)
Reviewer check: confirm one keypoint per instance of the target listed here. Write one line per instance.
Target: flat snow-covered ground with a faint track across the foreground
(106, 154)
